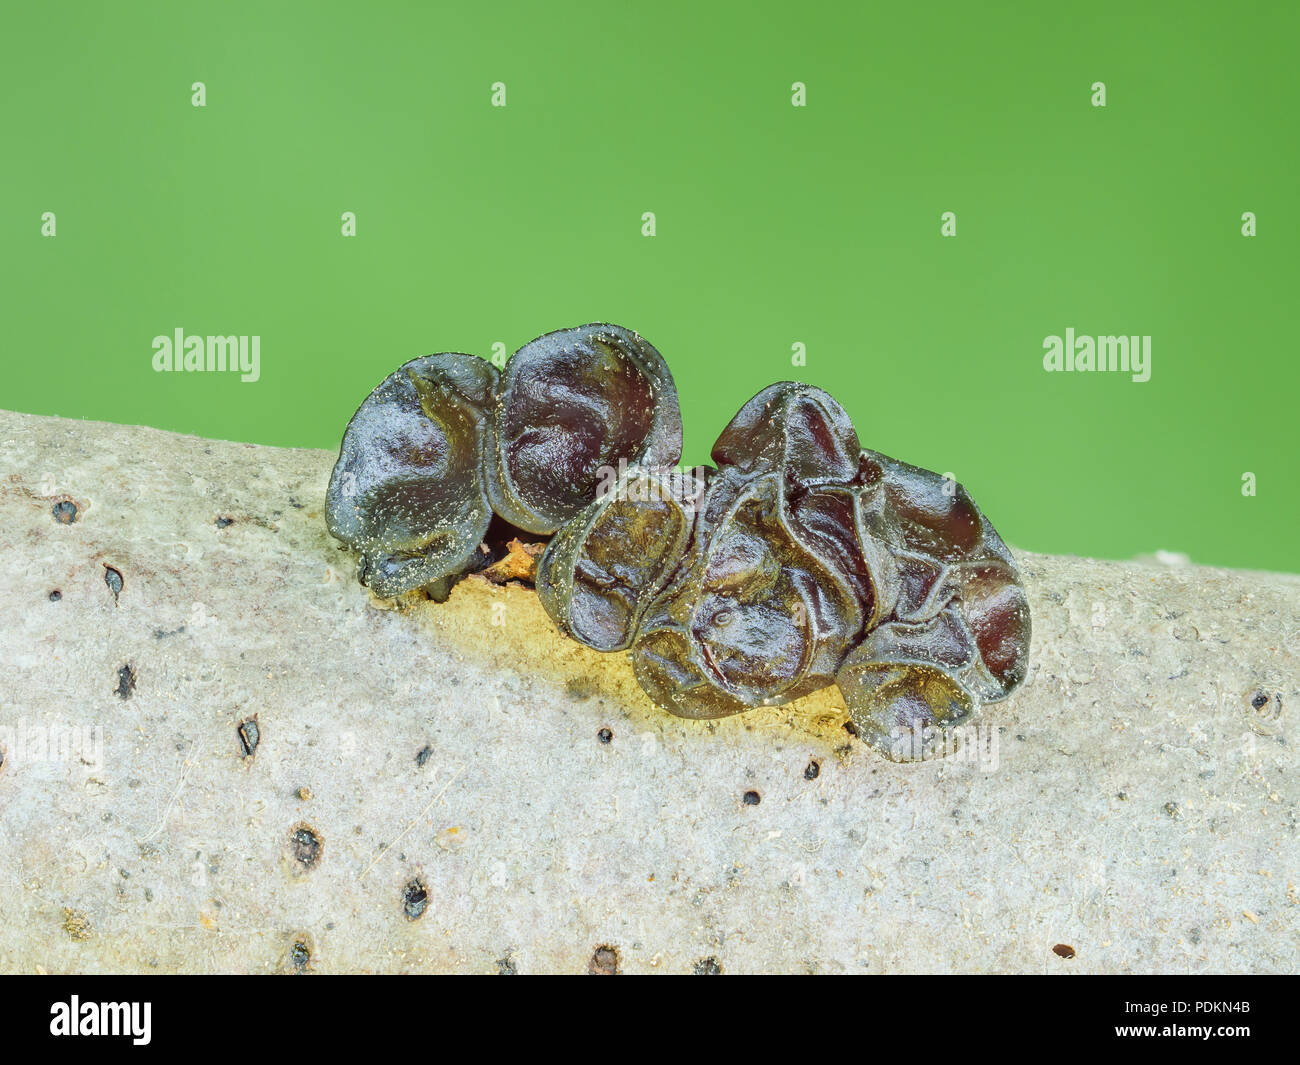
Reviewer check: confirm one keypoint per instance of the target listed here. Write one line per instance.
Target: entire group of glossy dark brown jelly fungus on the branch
(799, 562)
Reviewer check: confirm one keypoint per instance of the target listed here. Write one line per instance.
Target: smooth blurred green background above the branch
(775, 226)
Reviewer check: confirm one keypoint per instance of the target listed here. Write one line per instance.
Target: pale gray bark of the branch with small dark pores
(1130, 803)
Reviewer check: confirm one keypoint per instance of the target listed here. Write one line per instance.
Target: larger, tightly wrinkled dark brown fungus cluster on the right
(801, 561)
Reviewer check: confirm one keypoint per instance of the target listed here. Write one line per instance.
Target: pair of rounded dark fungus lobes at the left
(447, 441)
